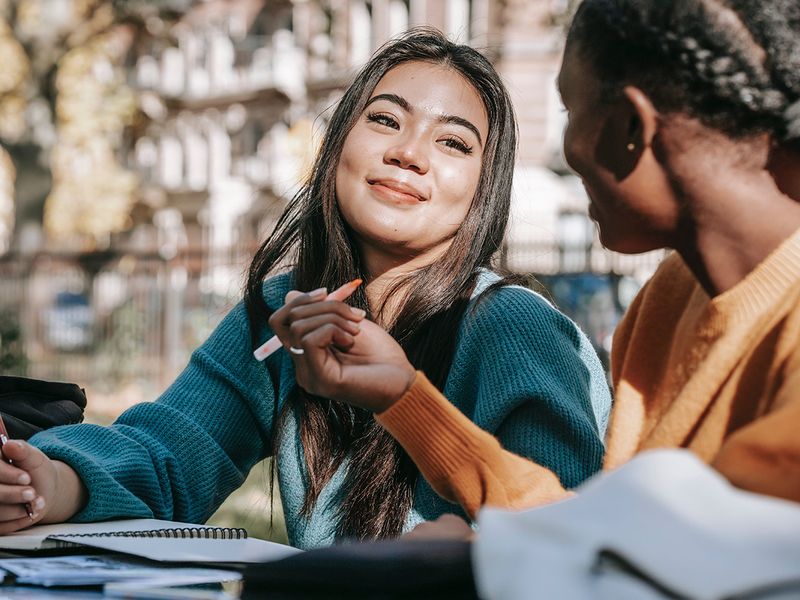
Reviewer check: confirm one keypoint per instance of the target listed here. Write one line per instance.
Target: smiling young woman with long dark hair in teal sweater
(410, 192)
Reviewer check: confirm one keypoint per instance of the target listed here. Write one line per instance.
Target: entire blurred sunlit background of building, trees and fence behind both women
(148, 146)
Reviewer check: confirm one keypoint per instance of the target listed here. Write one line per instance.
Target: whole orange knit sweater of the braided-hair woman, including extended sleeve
(719, 376)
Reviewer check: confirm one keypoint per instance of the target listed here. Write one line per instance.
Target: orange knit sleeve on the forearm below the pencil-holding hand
(461, 461)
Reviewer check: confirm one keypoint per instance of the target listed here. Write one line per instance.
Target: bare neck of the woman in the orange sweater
(734, 228)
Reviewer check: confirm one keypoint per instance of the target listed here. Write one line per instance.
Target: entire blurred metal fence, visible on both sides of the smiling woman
(108, 320)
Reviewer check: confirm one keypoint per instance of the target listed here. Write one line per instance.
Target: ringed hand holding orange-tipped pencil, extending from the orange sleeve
(339, 354)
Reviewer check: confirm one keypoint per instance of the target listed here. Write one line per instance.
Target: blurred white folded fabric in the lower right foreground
(663, 526)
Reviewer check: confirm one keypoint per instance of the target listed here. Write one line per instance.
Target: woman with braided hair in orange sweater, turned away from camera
(684, 125)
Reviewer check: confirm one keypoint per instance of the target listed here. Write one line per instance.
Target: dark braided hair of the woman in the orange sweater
(732, 64)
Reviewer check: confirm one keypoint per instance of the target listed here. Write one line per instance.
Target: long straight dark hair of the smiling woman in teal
(312, 235)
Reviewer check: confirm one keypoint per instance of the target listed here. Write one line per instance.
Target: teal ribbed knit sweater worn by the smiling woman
(521, 370)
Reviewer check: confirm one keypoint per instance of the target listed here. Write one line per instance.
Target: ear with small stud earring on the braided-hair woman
(629, 126)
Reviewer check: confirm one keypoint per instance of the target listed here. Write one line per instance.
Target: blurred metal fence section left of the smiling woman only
(110, 319)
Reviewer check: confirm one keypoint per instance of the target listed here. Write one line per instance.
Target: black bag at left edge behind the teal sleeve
(30, 405)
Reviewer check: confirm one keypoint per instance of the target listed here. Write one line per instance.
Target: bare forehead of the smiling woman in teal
(435, 90)
